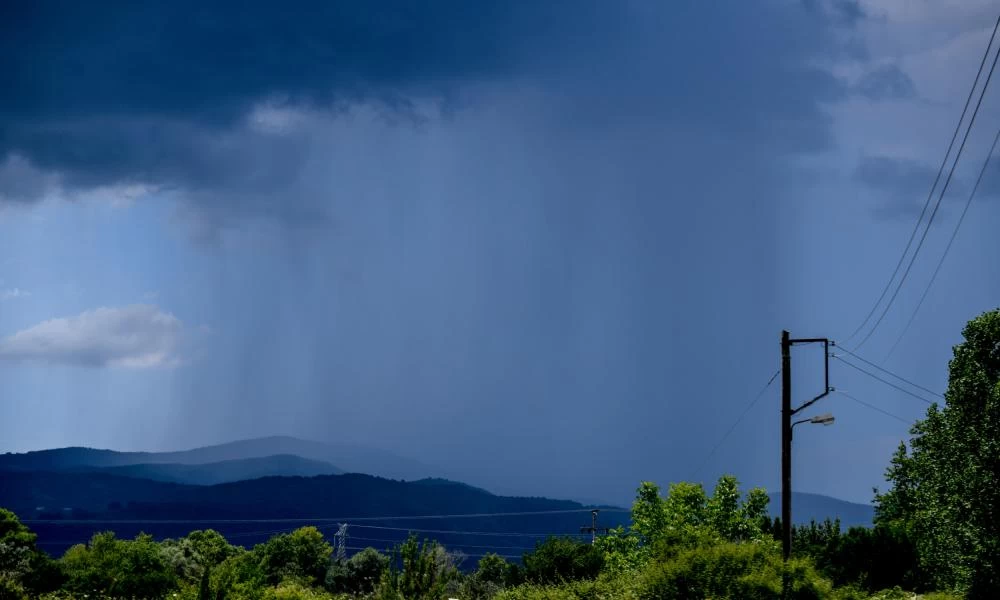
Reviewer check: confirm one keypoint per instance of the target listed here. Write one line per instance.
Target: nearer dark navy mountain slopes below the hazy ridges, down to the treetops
(67, 507)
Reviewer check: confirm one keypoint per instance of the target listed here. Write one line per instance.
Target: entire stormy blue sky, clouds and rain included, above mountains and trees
(549, 248)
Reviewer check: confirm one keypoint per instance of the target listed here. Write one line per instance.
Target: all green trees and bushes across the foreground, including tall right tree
(935, 529)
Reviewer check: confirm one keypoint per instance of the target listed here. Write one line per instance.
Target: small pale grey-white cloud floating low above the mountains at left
(136, 336)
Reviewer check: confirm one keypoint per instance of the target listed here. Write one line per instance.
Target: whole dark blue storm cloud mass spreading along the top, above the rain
(158, 93)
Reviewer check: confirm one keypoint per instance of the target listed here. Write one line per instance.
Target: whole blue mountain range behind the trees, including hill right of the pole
(252, 489)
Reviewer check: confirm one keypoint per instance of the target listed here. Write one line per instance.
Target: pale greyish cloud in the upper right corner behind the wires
(937, 47)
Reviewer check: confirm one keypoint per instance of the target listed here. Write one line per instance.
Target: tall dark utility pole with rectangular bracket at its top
(787, 412)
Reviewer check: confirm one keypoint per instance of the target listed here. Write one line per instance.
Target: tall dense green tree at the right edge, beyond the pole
(946, 486)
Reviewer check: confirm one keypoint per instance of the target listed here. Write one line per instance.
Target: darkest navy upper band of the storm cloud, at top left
(210, 61)
